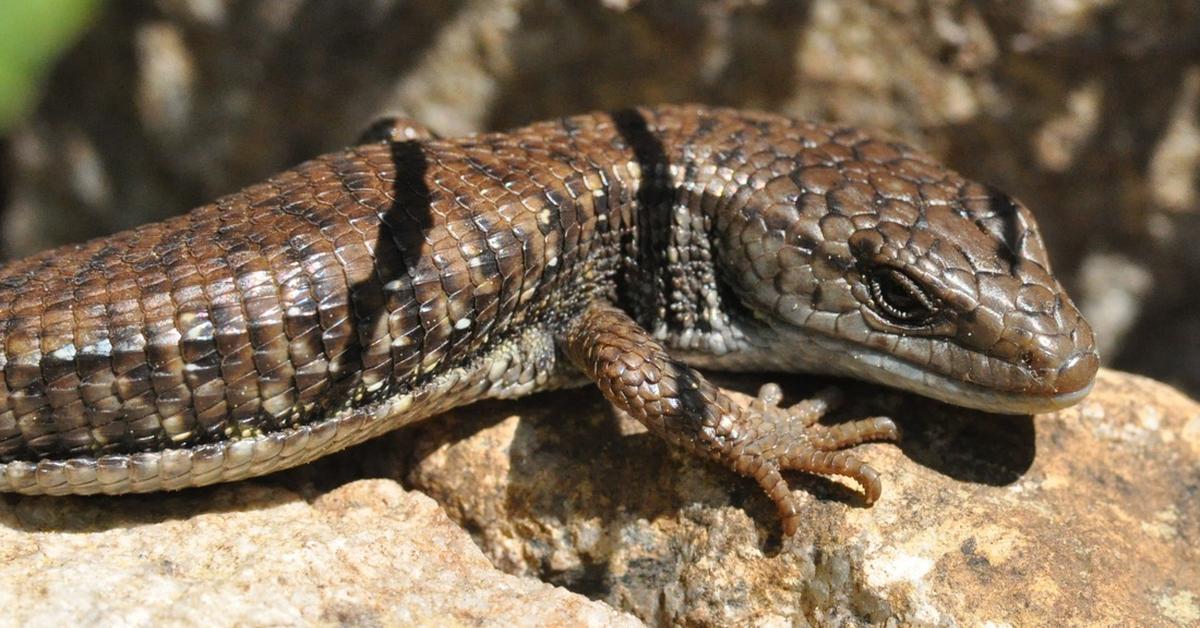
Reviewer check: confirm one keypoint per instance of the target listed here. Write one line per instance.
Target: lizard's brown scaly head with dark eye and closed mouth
(898, 271)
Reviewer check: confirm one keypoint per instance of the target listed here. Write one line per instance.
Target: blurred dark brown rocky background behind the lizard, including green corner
(119, 113)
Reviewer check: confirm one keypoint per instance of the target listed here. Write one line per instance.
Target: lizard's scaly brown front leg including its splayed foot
(759, 441)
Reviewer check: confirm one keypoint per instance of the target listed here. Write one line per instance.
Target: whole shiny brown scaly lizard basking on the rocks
(385, 284)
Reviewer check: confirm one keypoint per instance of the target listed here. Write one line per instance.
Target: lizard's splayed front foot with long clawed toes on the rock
(776, 440)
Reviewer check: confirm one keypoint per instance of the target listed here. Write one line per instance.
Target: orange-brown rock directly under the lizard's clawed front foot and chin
(1084, 517)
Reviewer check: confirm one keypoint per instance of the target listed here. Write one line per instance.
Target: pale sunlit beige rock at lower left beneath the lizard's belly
(365, 554)
